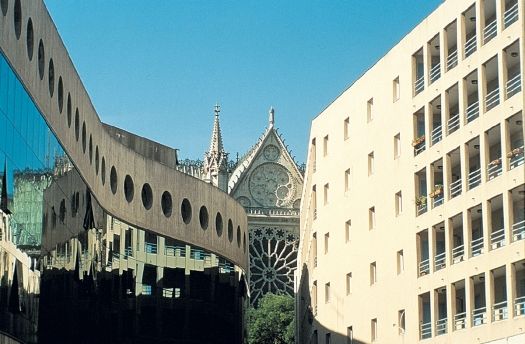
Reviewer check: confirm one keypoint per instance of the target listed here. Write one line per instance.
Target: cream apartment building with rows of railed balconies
(412, 215)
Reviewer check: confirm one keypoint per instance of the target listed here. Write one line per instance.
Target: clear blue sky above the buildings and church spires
(157, 68)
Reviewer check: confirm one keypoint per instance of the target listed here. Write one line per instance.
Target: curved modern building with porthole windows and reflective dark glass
(132, 249)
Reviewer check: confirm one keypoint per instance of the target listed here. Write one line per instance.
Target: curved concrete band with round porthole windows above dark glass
(84, 135)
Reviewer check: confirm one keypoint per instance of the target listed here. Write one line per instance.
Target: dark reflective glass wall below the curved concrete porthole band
(102, 279)
